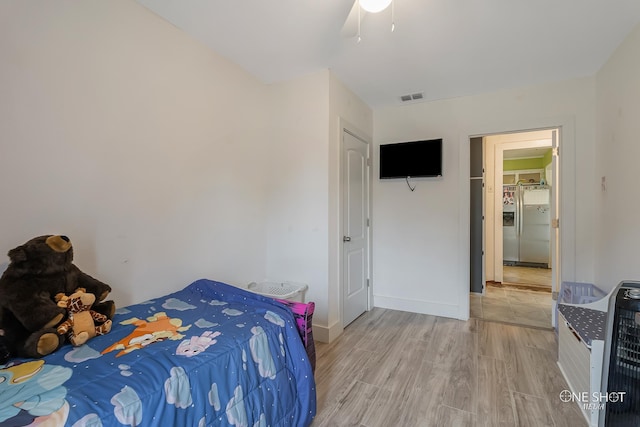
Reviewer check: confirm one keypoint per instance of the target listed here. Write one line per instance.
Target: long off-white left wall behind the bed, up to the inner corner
(142, 145)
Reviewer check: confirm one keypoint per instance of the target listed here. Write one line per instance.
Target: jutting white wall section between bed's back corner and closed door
(303, 226)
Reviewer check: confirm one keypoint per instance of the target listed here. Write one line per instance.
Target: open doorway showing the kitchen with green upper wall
(515, 248)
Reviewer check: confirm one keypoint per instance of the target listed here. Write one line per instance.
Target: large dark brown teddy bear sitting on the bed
(39, 270)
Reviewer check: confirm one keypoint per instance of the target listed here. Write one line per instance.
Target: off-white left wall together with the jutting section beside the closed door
(163, 161)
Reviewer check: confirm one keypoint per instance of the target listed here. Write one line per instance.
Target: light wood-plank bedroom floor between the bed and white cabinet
(391, 368)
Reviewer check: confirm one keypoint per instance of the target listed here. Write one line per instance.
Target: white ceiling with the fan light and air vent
(443, 48)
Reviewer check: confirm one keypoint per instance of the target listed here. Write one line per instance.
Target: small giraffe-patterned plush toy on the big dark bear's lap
(80, 325)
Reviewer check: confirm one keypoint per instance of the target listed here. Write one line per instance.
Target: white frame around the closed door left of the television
(345, 127)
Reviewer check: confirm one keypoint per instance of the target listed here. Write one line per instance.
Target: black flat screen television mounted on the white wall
(411, 159)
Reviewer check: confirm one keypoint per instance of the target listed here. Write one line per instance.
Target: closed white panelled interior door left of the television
(355, 253)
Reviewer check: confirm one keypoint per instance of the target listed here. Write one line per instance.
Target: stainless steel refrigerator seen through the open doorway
(526, 216)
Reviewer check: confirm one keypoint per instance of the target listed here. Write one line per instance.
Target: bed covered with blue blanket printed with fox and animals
(208, 355)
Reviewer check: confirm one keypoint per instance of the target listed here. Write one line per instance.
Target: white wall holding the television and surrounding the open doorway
(421, 248)
